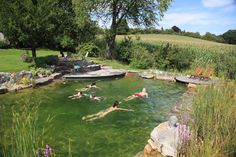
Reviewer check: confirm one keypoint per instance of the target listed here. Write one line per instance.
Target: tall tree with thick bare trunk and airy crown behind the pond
(137, 12)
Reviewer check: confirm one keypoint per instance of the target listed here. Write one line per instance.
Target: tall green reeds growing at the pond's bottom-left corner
(22, 137)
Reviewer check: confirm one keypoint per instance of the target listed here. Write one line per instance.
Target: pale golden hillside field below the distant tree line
(179, 40)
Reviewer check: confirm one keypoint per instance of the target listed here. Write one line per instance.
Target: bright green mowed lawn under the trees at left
(10, 59)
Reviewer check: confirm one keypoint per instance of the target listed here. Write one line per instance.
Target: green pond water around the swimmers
(120, 133)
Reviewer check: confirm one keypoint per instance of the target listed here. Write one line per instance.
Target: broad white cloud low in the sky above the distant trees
(197, 22)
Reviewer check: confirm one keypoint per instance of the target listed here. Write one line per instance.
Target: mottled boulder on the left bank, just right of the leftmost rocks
(18, 76)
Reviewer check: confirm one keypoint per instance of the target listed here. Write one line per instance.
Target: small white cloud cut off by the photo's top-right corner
(218, 3)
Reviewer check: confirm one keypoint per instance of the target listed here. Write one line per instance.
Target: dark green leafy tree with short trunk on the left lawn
(28, 23)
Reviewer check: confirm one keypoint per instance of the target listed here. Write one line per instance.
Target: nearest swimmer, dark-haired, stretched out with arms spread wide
(103, 113)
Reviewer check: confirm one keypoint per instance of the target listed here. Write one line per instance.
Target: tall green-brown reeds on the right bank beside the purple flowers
(214, 128)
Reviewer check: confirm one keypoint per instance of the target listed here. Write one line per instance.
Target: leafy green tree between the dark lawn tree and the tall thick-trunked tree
(72, 29)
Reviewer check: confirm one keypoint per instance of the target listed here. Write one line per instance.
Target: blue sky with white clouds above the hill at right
(215, 16)
